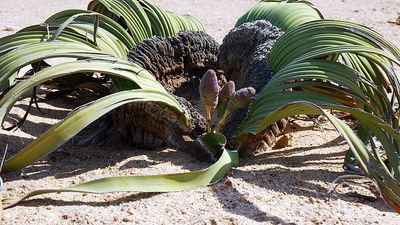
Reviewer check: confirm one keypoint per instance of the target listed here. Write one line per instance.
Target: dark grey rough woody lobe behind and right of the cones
(244, 51)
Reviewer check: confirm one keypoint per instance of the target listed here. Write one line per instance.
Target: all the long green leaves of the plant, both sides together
(318, 65)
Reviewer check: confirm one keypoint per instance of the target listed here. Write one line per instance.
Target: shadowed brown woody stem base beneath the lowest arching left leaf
(150, 125)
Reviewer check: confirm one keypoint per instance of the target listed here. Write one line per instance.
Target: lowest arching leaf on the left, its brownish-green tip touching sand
(79, 119)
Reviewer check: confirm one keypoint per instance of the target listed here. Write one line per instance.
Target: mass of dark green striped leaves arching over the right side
(341, 66)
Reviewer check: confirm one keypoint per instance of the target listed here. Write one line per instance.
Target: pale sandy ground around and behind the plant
(284, 186)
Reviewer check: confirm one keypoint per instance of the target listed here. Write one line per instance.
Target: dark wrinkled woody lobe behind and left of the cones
(178, 63)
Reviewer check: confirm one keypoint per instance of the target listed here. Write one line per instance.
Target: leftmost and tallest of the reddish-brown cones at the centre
(209, 90)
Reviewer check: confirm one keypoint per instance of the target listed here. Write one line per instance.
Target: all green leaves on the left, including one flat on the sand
(100, 44)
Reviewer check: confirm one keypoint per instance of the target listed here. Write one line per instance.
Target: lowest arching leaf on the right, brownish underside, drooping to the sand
(390, 187)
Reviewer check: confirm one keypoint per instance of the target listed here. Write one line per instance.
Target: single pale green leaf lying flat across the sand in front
(152, 183)
